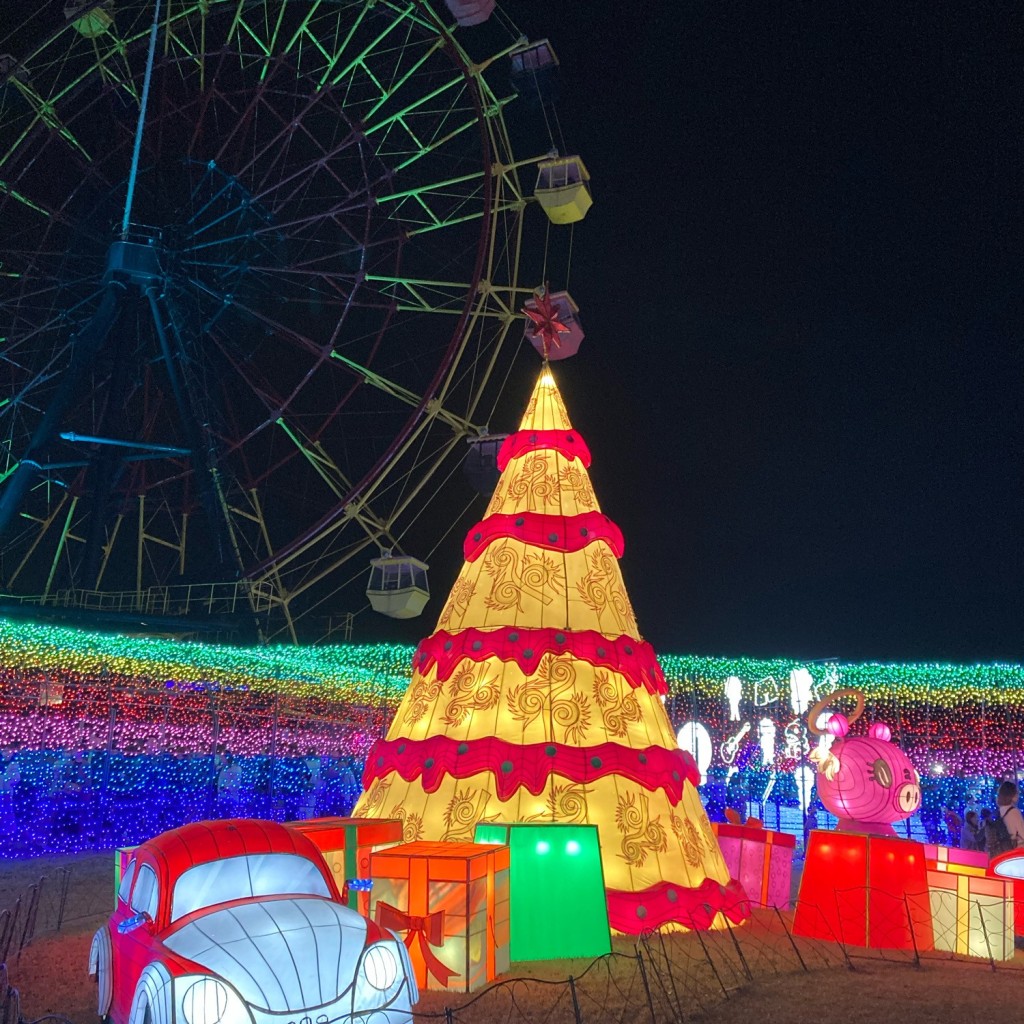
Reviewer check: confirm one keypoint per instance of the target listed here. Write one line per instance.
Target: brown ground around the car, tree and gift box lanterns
(752, 974)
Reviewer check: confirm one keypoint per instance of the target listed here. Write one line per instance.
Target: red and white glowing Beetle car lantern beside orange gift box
(240, 922)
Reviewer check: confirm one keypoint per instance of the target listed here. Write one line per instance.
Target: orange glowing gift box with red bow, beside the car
(450, 905)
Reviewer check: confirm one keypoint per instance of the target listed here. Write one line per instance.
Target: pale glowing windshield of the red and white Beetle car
(241, 878)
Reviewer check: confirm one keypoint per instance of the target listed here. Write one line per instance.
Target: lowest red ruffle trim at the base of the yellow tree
(633, 913)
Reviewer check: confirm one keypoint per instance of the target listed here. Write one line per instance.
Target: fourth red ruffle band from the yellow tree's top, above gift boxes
(529, 764)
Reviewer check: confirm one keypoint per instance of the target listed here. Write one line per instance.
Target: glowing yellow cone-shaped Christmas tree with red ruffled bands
(536, 700)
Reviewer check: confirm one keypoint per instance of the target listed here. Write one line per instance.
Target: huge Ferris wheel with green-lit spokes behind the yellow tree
(243, 332)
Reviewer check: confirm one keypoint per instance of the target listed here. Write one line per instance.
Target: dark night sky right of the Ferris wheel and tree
(801, 286)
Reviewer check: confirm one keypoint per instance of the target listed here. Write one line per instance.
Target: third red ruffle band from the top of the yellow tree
(633, 659)
